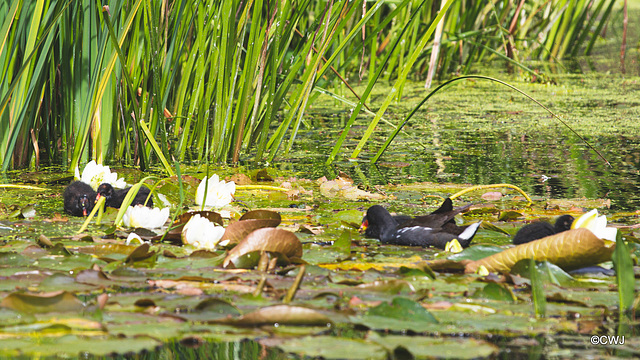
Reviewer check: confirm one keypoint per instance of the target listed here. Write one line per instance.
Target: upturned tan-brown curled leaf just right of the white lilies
(272, 240)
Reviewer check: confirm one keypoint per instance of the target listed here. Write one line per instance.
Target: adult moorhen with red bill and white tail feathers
(435, 229)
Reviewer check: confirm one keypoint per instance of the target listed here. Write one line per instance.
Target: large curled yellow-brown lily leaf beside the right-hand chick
(569, 250)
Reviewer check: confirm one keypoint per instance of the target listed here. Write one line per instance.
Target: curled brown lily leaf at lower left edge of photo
(59, 301)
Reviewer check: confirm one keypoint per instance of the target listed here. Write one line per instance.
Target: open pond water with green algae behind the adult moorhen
(478, 132)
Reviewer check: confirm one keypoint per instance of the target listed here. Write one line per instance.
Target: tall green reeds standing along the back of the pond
(227, 80)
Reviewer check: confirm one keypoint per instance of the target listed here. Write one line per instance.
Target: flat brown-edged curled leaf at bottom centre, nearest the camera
(281, 315)
